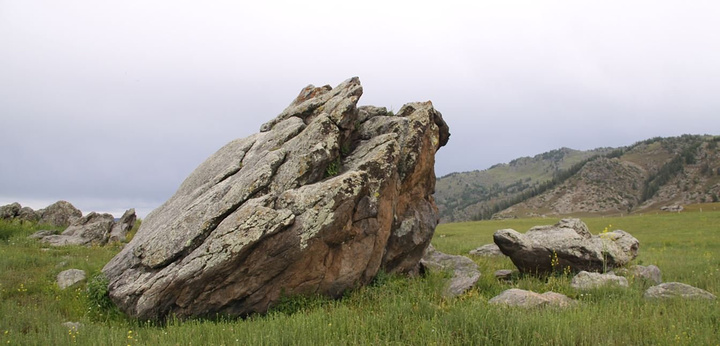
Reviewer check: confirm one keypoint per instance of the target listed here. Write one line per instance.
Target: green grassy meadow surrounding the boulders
(394, 310)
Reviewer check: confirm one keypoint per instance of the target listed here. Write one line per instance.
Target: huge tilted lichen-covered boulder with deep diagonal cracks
(316, 203)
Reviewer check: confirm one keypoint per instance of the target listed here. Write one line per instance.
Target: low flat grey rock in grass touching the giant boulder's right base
(465, 271)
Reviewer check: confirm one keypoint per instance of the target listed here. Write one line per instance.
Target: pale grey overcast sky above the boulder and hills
(111, 104)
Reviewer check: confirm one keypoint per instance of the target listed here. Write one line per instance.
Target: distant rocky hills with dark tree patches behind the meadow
(647, 175)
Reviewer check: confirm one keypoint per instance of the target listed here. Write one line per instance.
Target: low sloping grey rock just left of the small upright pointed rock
(92, 229)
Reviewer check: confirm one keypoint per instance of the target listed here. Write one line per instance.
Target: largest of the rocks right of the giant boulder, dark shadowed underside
(544, 249)
